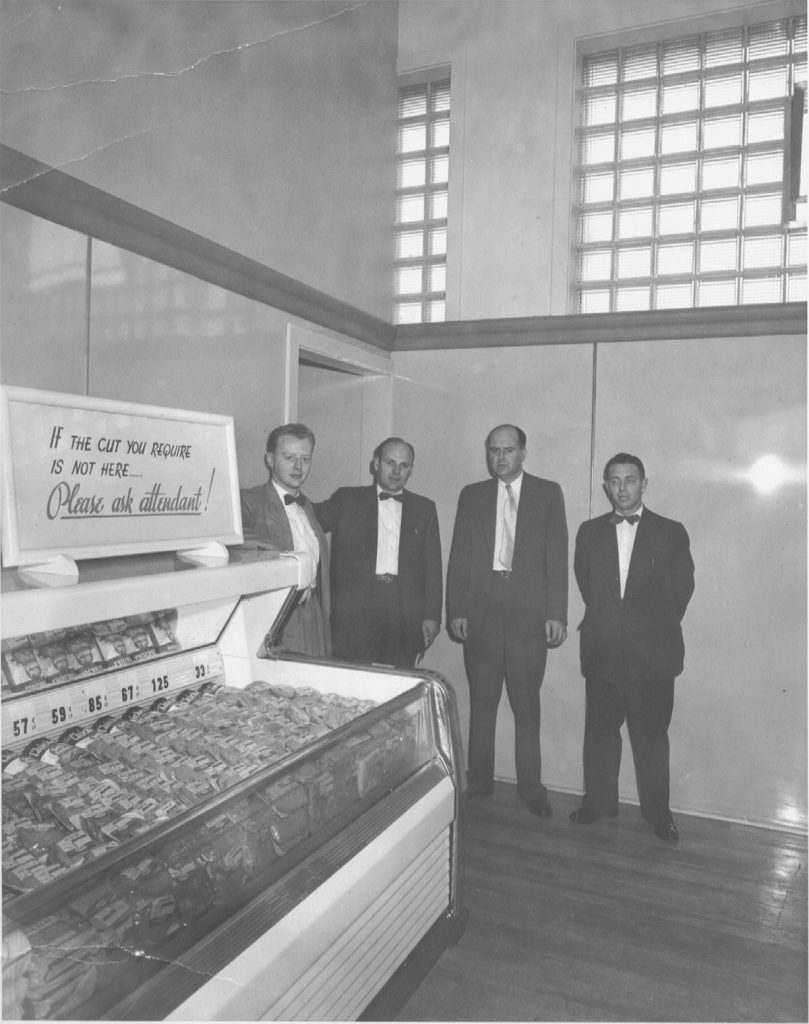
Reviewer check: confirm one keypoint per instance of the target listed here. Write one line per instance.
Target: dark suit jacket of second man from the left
(352, 517)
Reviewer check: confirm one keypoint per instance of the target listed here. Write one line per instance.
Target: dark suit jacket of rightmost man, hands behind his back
(643, 632)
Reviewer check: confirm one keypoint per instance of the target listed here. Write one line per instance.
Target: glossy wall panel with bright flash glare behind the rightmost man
(702, 415)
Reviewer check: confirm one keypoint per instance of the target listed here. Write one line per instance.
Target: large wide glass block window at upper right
(688, 154)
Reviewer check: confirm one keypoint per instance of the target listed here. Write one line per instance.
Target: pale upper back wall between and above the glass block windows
(513, 120)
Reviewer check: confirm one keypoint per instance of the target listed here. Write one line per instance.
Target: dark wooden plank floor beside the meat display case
(608, 923)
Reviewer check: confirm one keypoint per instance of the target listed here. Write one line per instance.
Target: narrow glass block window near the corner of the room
(422, 184)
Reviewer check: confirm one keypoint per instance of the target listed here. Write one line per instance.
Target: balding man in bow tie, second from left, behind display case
(387, 565)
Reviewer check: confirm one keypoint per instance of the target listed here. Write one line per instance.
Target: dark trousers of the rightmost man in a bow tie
(647, 707)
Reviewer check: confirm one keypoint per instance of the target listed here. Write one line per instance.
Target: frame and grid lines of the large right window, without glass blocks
(652, 281)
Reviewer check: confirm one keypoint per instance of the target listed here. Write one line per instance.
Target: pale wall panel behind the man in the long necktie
(445, 404)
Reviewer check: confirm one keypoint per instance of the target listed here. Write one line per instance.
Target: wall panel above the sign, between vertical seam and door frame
(165, 338)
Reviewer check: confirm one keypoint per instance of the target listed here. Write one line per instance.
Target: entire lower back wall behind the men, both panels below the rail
(700, 414)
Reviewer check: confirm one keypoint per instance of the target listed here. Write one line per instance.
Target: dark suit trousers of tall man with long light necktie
(494, 654)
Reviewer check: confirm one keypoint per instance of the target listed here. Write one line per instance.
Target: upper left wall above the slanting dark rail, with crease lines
(264, 126)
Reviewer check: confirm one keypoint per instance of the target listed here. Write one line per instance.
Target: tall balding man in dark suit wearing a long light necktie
(507, 603)
